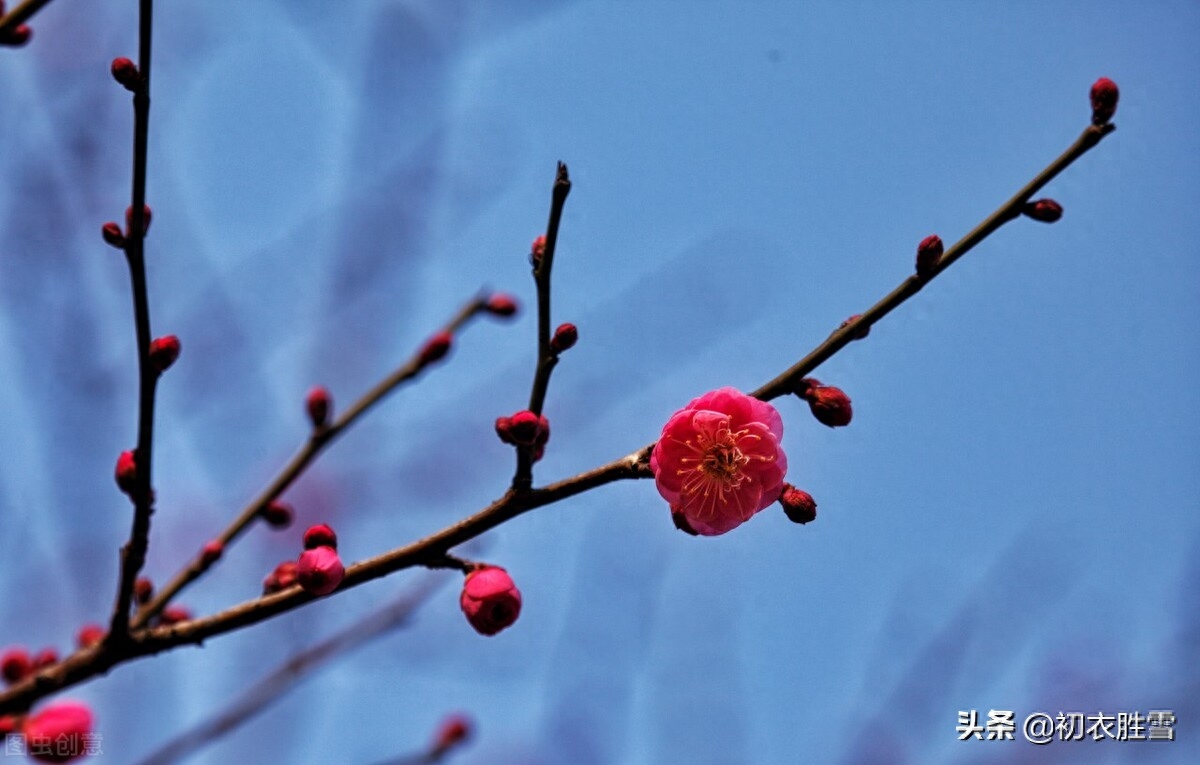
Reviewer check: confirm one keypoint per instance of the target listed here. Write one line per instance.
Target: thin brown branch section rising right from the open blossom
(910, 287)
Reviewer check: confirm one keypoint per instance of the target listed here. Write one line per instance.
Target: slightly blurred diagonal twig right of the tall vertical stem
(317, 442)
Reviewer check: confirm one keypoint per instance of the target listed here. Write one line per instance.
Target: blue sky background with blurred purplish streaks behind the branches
(1010, 522)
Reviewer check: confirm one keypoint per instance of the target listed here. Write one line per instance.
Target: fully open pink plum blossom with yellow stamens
(719, 461)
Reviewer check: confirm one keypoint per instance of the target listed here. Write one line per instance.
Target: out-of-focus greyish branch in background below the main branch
(290, 674)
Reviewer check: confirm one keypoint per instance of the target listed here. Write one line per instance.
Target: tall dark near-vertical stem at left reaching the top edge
(135, 552)
